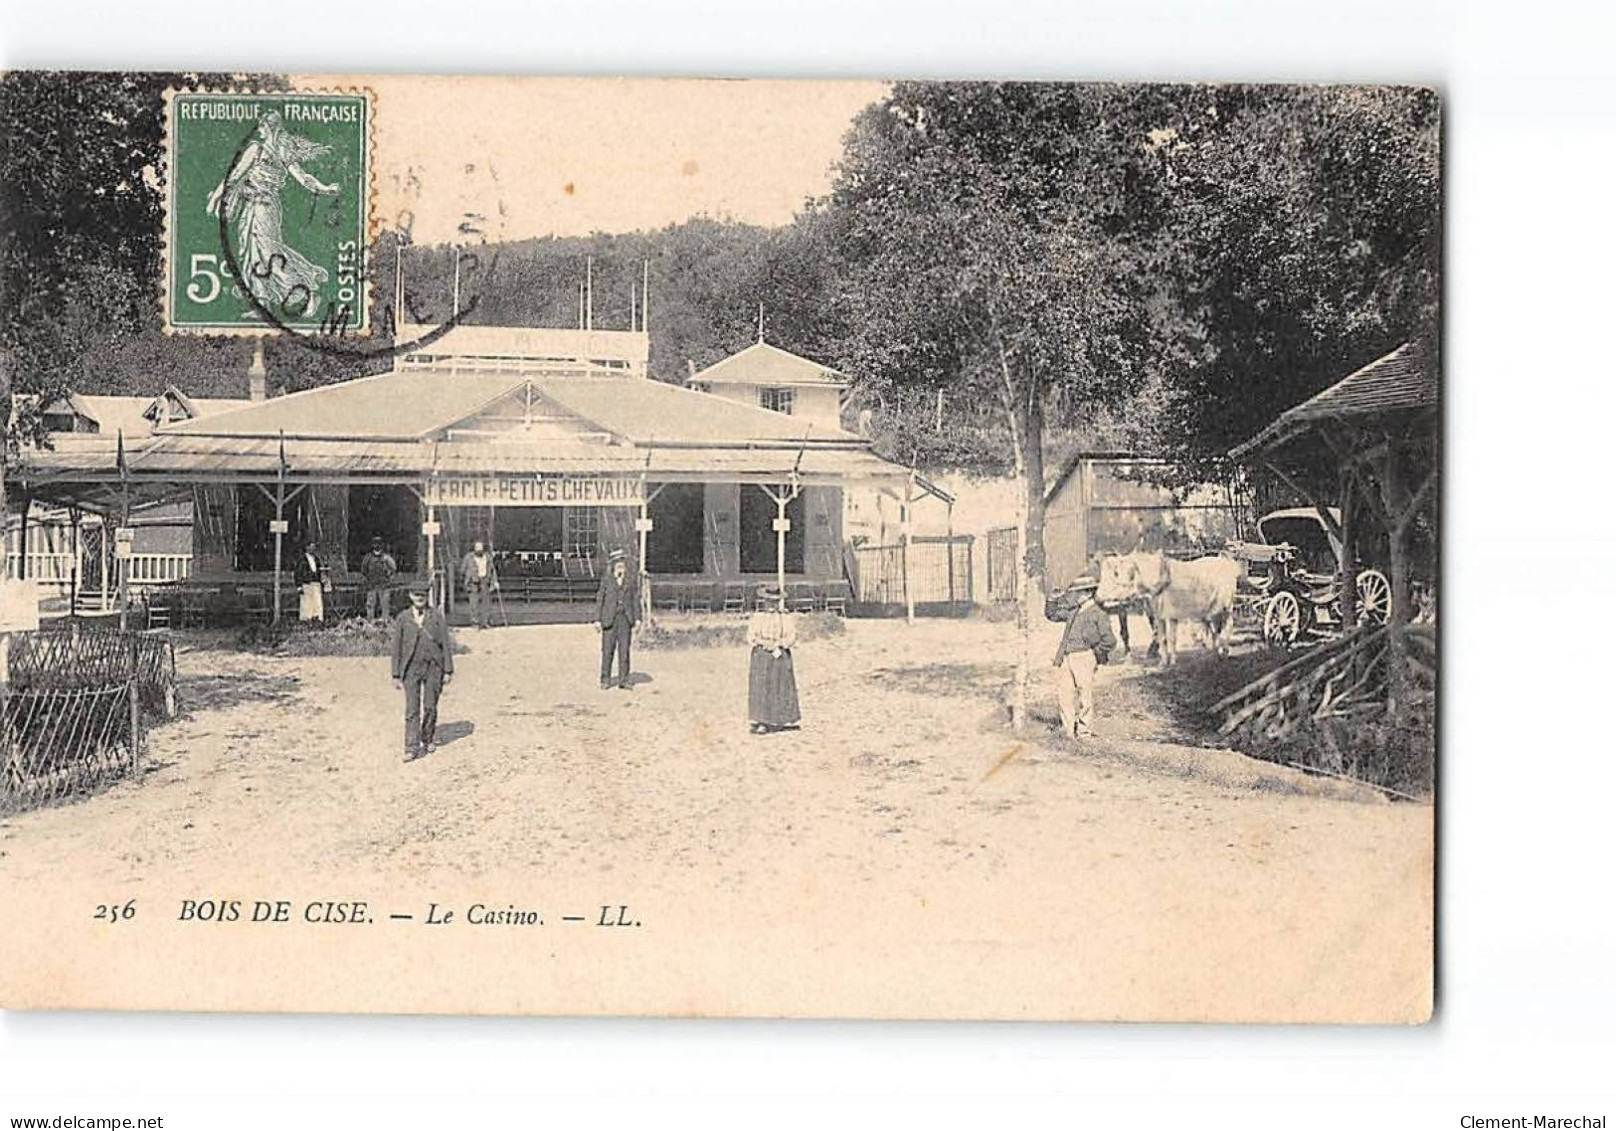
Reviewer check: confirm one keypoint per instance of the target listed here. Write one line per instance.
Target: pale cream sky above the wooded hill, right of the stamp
(518, 159)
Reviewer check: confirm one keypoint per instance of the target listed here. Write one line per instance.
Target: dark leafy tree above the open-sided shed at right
(1307, 225)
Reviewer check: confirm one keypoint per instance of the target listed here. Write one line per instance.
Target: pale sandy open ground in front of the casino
(904, 854)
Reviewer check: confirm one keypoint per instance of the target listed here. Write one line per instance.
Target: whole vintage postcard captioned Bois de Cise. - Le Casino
(770, 549)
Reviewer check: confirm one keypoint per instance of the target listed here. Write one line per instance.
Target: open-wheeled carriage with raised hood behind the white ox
(1292, 581)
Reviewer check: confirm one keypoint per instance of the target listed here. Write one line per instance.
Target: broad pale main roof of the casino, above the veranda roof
(424, 405)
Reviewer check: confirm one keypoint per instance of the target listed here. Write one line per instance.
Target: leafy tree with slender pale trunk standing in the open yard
(996, 256)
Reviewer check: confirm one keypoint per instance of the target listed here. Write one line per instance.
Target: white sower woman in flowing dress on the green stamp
(277, 274)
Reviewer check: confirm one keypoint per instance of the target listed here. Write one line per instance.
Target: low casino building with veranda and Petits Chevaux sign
(553, 447)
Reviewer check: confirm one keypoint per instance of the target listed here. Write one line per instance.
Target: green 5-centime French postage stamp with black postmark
(267, 212)
